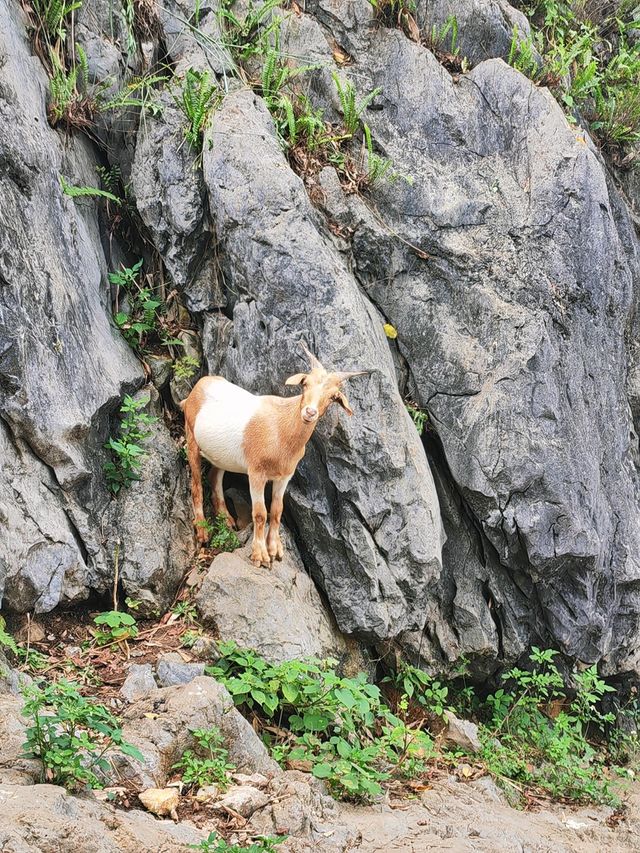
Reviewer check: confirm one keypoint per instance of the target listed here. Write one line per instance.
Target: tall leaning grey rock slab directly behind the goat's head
(362, 499)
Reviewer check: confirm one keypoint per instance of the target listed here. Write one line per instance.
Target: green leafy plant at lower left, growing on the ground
(70, 734)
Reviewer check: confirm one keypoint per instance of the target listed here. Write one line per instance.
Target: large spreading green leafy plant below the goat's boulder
(334, 722)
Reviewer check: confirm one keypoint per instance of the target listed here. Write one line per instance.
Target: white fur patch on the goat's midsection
(221, 422)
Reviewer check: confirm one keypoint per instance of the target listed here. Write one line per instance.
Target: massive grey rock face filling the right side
(499, 326)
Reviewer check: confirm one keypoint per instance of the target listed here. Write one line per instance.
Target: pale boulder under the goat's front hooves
(277, 612)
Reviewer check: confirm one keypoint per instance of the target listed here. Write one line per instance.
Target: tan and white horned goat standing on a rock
(262, 436)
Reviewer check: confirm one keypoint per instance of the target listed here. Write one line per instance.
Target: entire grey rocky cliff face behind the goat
(508, 263)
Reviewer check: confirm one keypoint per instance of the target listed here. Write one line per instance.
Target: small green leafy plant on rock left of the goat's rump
(126, 451)
